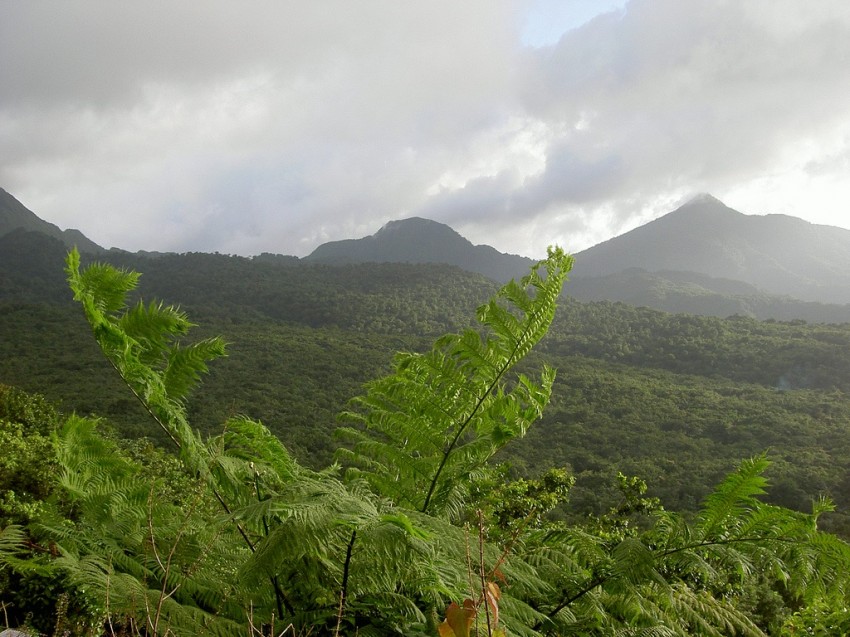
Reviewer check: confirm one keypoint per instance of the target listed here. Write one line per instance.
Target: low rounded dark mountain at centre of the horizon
(418, 240)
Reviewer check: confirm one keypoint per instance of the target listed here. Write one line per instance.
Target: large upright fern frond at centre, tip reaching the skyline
(442, 414)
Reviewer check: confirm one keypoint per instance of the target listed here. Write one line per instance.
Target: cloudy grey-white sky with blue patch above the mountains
(275, 126)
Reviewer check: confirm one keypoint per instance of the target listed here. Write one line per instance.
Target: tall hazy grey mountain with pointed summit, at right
(778, 254)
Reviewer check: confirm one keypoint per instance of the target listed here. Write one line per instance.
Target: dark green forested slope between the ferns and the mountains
(677, 399)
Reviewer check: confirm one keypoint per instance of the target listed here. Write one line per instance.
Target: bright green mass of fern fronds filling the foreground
(384, 548)
